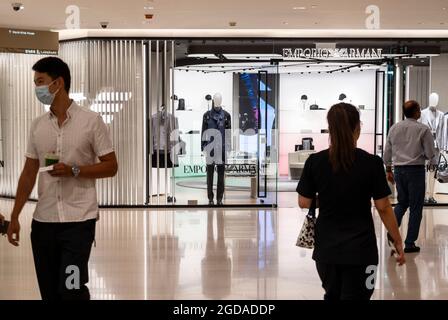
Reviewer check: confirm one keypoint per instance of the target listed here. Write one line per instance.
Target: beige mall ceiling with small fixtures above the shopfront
(213, 14)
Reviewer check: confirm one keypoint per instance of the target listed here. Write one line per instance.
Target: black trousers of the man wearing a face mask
(61, 254)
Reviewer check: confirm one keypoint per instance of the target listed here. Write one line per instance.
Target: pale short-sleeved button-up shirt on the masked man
(82, 138)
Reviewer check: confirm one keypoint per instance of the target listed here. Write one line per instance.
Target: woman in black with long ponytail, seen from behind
(344, 179)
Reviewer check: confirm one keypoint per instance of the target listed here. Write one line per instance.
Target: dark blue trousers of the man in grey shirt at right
(410, 182)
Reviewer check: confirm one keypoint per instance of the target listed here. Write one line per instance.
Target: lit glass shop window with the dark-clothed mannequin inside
(247, 101)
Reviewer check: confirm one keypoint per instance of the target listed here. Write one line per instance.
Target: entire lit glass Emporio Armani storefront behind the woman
(229, 130)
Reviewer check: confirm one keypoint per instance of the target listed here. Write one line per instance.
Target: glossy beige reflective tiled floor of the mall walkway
(221, 254)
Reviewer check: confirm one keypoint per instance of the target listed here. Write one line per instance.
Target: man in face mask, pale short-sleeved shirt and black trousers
(63, 227)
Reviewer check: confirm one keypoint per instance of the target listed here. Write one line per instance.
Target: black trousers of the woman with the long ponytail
(345, 282)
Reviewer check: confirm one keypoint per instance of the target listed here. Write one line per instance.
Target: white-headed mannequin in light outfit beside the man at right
(433, 118)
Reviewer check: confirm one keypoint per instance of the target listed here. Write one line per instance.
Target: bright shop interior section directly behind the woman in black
(307, 90)
